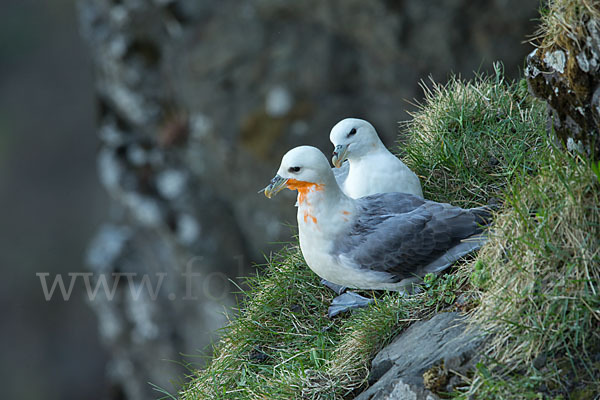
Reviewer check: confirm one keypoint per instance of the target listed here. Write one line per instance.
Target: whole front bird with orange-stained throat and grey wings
(383, 241)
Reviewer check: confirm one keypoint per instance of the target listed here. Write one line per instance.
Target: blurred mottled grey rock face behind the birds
(198, 101)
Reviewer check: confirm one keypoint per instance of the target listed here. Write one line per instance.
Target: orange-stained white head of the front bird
(303, 168)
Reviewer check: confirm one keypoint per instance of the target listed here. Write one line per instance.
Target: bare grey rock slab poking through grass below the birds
(403, 369)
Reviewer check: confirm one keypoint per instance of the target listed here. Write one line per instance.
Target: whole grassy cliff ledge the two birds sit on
(533, 288)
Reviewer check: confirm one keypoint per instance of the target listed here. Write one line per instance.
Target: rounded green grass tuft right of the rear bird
(468, 139)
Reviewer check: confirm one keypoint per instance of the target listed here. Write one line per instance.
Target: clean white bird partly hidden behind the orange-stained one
(371, 167)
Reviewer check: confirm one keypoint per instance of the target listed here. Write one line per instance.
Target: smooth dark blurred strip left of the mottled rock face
(50, 202)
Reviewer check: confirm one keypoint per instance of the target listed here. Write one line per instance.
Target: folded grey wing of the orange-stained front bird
(411, 243)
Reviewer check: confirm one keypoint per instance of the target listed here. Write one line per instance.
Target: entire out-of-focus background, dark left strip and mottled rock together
(147, 174)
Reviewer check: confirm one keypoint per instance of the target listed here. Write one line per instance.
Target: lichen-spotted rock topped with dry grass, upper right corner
(564, 71)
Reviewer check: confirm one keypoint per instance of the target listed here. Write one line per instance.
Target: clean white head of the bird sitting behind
(352, 138)
